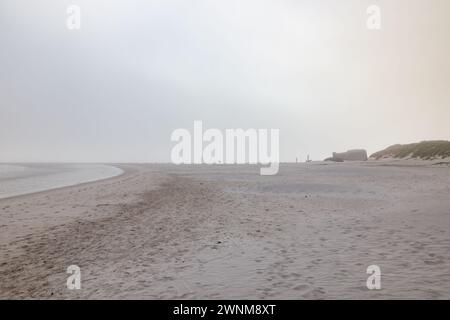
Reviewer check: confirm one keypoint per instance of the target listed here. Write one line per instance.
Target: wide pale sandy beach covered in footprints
(180, 232)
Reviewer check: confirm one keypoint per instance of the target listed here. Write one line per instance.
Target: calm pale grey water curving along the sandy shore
(19, 179)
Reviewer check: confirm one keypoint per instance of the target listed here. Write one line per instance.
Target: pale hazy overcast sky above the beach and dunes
(115, 90)
